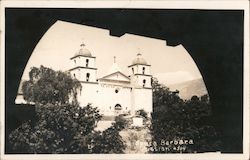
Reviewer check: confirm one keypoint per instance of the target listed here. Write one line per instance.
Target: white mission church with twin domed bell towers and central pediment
(114, 93)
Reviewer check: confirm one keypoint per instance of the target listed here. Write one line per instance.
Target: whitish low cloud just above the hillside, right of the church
(174, 77)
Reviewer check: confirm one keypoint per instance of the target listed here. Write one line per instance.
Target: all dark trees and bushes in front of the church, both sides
(63, 126)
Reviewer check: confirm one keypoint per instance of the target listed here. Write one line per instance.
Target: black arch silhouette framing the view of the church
(210, 36)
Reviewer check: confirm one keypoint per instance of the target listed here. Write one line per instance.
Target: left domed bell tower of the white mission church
(83, 65)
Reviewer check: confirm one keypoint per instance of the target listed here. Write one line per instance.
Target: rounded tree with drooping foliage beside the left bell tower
(48, 86)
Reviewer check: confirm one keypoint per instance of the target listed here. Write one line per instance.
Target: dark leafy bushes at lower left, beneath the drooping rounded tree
(59, 129)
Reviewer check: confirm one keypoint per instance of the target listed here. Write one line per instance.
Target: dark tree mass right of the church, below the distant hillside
(180, 126)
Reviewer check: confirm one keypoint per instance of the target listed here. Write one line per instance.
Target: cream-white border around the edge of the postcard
(219, 4)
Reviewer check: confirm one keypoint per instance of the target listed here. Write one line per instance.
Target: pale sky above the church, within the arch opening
(170, 65)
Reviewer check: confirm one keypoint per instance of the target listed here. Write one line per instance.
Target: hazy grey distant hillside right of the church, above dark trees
(189, 88)
